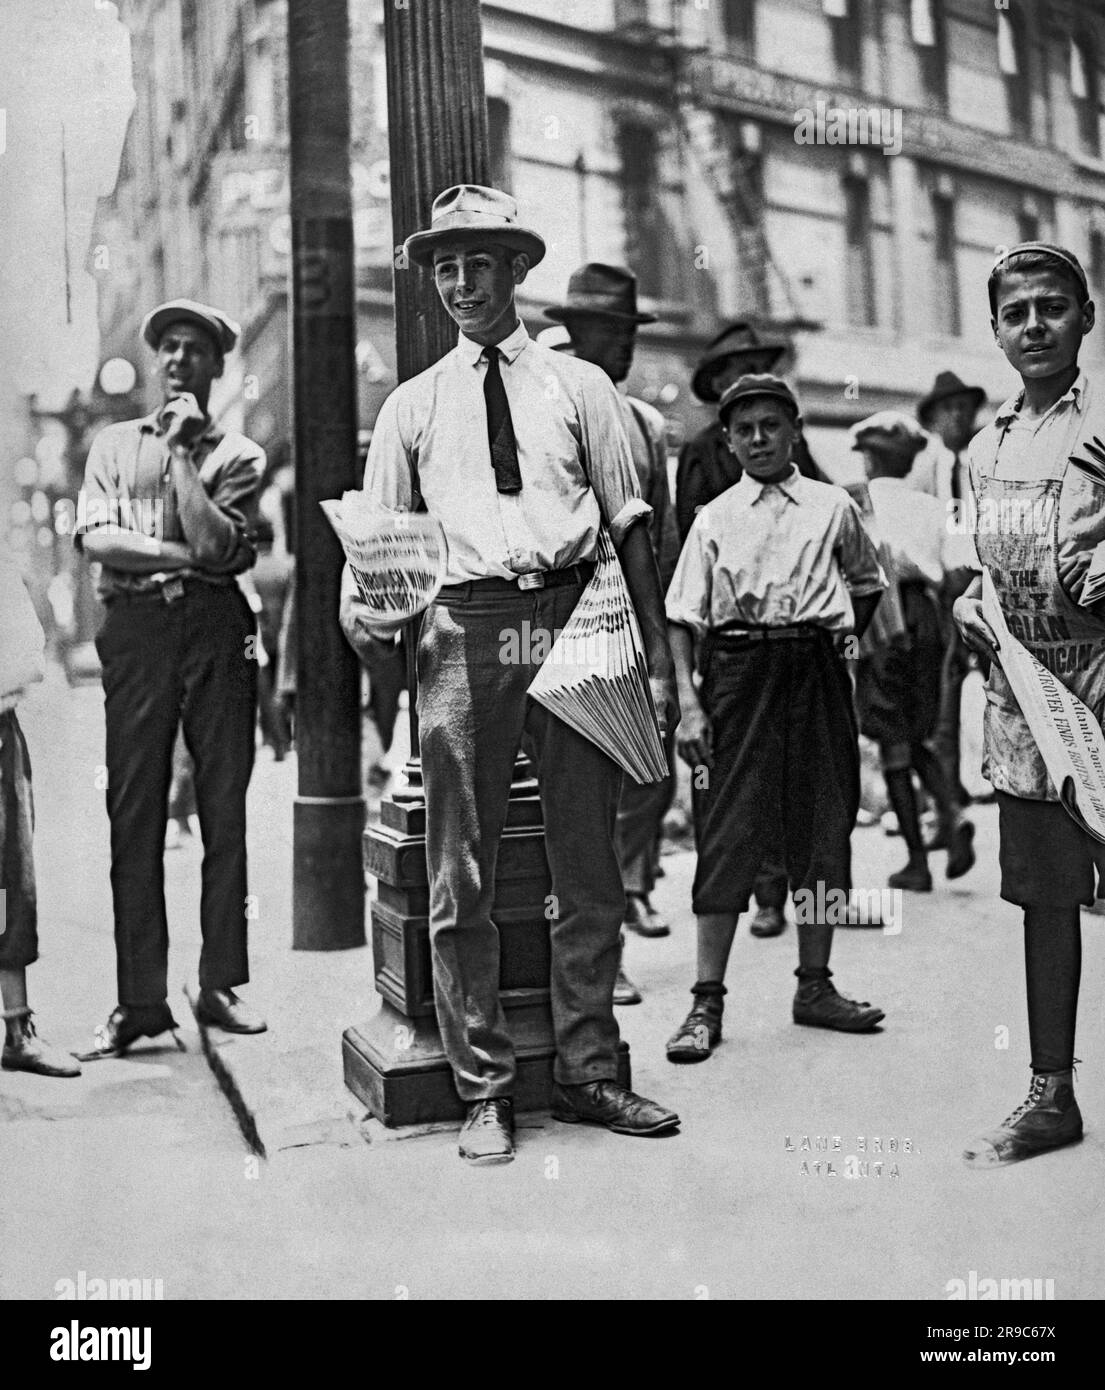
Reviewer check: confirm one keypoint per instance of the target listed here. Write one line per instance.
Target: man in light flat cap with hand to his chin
(170, 509)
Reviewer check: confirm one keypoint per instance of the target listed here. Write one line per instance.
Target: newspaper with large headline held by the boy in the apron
(1065, 730)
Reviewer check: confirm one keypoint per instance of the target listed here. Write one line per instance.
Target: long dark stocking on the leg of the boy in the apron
(1053, 971)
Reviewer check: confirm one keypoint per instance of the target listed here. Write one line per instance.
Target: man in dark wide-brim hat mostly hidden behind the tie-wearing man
(603, 318)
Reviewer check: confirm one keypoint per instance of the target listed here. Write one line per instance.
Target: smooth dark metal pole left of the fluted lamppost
(329, 876)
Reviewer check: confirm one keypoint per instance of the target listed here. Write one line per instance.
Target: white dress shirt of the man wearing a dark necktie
(571, 439)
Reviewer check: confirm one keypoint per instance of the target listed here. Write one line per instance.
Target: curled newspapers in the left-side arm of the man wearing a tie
(398, 558)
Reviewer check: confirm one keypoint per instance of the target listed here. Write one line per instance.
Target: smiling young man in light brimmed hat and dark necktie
(522, 457)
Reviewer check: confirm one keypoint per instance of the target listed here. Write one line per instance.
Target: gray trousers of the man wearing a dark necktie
(476, 660)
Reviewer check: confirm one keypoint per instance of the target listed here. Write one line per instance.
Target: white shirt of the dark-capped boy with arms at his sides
(773, 555)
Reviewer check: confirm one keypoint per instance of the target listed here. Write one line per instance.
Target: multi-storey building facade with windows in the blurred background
(843, 172)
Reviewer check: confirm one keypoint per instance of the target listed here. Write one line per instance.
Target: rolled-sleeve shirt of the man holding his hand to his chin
(129, 486)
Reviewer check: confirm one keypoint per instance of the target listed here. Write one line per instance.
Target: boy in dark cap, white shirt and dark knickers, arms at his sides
(775, 573)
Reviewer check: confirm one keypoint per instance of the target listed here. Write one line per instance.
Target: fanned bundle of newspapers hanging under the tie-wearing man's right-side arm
(596, 676)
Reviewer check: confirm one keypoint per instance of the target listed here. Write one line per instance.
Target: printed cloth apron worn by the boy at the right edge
(1024, 526)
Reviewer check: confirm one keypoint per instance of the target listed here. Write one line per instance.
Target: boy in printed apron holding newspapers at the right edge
(1038, 480)
